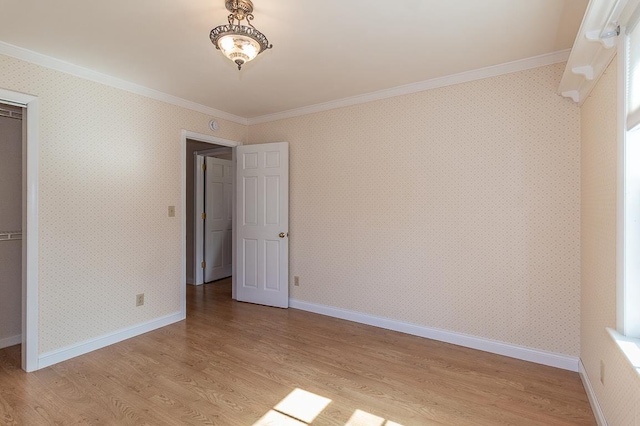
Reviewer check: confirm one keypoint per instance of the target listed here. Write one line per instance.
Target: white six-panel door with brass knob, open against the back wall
(262, 224)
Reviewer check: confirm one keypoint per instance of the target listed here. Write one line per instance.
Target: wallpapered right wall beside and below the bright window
(619, 395)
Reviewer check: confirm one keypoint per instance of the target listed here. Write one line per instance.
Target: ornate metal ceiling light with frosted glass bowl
(240, 43)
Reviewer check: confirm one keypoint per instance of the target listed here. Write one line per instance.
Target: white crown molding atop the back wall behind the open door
(450, 80)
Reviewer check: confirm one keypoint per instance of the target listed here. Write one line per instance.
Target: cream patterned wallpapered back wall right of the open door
(456, 208)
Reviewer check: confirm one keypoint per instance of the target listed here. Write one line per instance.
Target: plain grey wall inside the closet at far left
(10, 220)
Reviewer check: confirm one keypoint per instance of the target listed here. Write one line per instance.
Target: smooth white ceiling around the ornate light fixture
(323, 50)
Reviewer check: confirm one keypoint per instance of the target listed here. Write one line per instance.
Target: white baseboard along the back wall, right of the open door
(564, 362)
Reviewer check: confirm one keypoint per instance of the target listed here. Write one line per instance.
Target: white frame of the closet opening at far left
(30, 232)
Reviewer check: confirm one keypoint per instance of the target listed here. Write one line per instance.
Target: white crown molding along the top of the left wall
(88, 74)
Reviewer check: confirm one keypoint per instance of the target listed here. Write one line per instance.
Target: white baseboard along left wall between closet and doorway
(72, 351)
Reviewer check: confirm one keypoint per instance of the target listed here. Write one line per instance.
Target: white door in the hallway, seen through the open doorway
(217, 224)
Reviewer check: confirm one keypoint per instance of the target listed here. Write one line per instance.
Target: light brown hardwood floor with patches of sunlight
(232, 363)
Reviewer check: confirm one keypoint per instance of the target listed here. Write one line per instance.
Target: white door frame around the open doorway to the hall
(214, 140)
